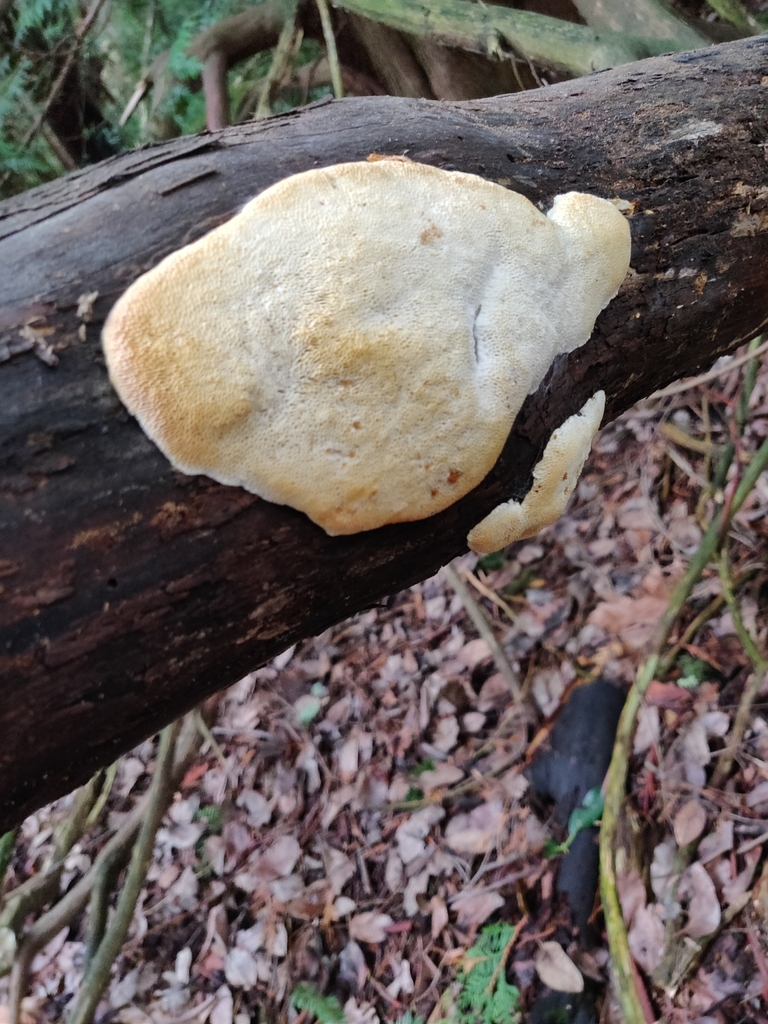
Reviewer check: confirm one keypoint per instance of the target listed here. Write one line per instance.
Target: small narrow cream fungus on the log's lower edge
(556, 478)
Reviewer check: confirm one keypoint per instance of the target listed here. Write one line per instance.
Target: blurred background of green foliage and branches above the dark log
(82, 81)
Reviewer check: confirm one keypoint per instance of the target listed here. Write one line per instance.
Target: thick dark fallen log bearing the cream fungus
(131, 591)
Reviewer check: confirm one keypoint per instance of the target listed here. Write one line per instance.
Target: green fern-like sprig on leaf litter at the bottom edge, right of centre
(486, 996)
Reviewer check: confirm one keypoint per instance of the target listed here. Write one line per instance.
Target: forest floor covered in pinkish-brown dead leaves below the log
(366, 809)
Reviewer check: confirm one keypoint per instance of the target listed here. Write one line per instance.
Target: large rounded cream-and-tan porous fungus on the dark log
(358, 342)
